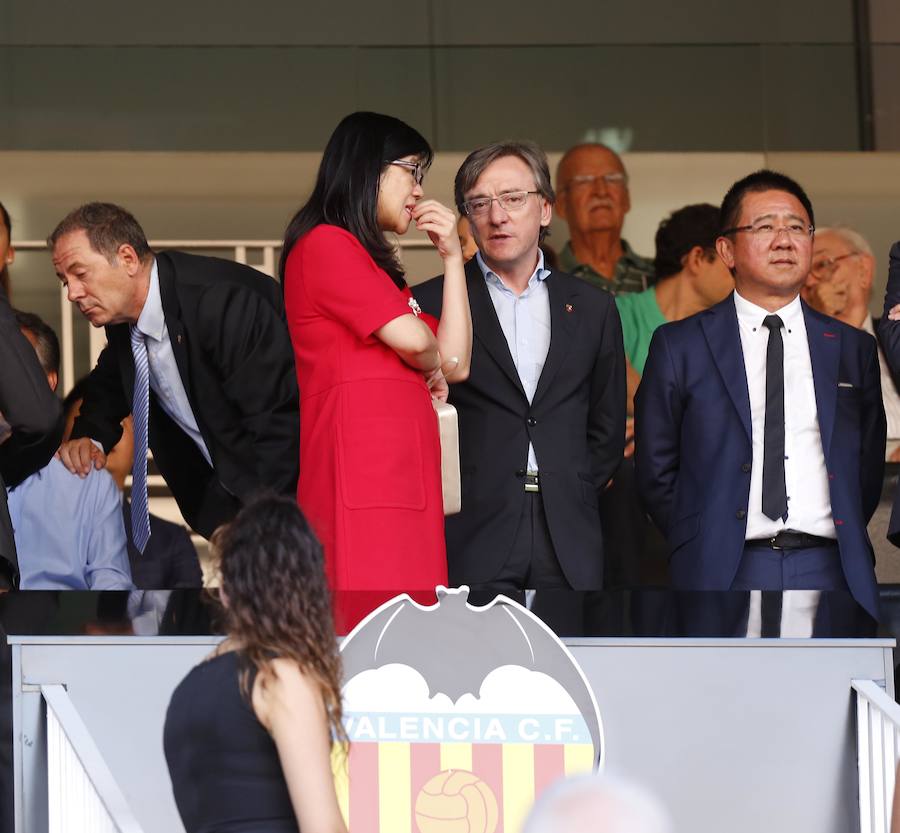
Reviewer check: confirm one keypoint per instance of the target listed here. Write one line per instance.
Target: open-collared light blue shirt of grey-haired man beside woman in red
(525, 321)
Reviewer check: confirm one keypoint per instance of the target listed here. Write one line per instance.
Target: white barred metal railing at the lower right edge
(878, 751)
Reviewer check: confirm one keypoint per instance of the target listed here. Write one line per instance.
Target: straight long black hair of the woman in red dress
(346, 191)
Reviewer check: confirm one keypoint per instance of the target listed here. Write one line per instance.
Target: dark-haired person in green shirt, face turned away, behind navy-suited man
(690, 277)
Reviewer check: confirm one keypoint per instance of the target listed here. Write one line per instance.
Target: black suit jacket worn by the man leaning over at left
(234, 355)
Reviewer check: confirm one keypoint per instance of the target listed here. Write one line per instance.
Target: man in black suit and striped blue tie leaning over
(199, 353)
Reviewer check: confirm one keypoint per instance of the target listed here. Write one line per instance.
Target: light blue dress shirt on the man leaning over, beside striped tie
(165, 380)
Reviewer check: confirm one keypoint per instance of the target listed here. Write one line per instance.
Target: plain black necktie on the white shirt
(774, 490)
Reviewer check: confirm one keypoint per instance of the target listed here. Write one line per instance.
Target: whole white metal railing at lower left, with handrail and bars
(82, 794)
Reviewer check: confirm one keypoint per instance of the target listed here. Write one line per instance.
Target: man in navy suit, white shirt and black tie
(759, 424)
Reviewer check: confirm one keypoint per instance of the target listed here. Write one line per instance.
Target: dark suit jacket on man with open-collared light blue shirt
(576, 423)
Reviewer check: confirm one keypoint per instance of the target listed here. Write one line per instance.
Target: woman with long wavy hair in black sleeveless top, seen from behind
(248, 731)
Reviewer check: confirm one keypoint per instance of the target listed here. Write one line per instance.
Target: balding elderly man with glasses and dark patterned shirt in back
(593, 199)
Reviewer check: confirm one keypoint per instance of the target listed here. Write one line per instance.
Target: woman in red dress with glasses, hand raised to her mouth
(368, 362)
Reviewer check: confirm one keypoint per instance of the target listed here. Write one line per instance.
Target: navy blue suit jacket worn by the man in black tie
(693, 450)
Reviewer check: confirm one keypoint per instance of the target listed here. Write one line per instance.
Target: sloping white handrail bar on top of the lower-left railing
(61, 709)
